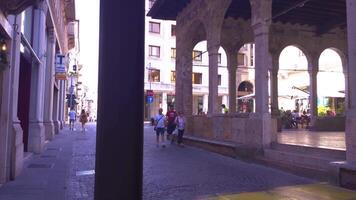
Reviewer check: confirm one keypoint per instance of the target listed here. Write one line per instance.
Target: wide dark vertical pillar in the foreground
(120, 108)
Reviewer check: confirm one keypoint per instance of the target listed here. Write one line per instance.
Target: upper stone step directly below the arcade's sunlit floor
(332, 154)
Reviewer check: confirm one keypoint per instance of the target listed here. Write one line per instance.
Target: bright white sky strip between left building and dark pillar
(87, 12)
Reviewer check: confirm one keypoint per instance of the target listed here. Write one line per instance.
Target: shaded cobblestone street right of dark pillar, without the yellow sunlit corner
(190, 173)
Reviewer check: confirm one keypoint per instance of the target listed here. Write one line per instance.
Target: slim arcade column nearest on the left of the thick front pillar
(232, 67)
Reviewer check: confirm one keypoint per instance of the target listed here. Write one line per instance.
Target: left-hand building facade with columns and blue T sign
(35, 35)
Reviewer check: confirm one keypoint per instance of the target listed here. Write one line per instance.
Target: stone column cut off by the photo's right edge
(351, 110)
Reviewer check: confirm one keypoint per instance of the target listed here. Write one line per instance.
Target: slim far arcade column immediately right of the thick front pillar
(274, 87)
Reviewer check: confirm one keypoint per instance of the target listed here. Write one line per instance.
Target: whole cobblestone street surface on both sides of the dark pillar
(66, 171)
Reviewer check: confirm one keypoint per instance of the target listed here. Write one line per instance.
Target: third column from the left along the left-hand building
(49, 85)
